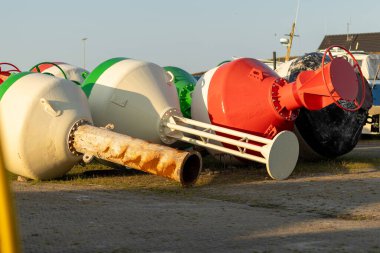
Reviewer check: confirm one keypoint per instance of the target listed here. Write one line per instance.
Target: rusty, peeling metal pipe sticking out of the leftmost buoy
(180, 166)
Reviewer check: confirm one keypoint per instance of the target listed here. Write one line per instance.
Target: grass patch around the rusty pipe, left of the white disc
(129, 179)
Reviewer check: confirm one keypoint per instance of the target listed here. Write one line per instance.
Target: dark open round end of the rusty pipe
(191, 169)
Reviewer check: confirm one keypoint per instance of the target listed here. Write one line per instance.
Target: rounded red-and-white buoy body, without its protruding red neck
(235, 95)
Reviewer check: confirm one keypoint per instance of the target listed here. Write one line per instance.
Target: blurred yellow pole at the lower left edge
(9, 240)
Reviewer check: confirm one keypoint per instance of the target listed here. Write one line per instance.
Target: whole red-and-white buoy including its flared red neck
(248, 96)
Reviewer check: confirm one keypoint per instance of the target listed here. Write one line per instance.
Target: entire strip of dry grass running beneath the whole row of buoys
(215, 172)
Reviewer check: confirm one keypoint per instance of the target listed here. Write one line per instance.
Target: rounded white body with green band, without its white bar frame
(133, 95)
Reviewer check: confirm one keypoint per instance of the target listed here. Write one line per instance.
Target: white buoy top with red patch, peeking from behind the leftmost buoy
(73, 73)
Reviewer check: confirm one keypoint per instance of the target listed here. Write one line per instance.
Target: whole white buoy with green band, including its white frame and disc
(141, 101)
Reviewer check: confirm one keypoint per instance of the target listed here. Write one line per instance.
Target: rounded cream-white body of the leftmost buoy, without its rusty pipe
(37, 112)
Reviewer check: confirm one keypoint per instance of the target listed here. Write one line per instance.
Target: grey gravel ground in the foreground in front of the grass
(323, 213)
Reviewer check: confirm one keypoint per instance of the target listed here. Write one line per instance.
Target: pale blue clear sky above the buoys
(195, 35)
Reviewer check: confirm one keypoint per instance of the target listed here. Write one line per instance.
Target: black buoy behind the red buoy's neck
(329, 132)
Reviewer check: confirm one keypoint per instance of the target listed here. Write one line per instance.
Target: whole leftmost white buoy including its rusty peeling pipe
(46, 129)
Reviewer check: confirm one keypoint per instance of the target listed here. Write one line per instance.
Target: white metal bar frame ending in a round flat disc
(280, 154)
